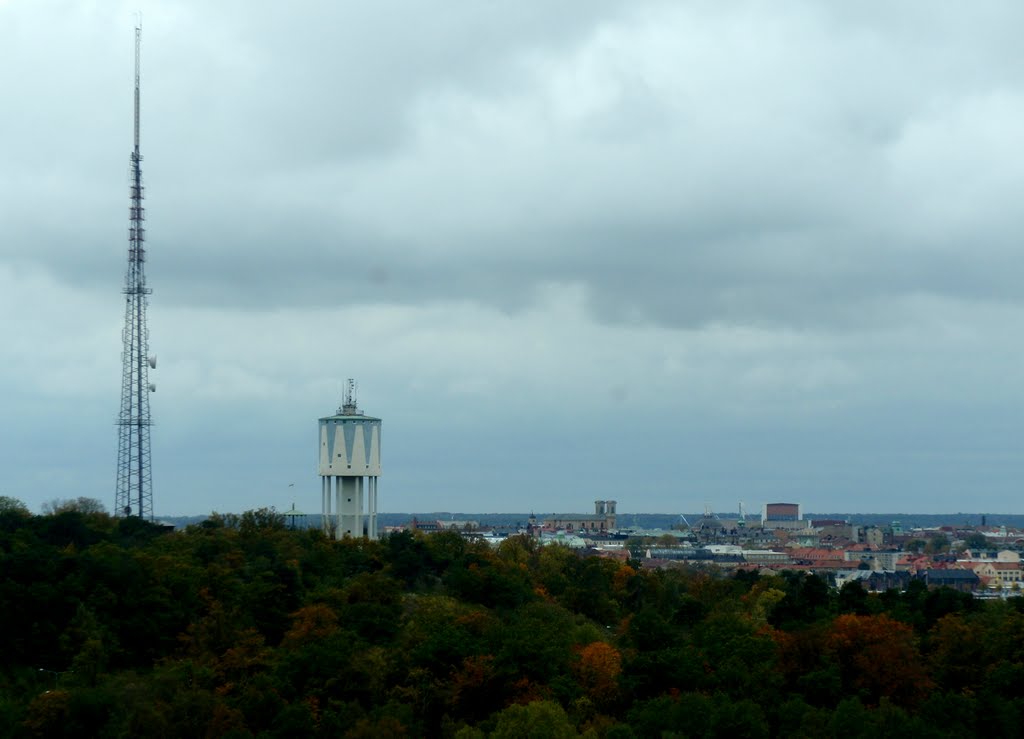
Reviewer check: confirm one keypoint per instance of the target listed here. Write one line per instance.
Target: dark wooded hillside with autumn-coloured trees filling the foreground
(240, 627)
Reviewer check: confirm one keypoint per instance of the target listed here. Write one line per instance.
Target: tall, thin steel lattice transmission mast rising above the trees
(135, 490)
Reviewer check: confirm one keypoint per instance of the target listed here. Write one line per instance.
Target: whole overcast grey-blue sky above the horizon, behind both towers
(675, 254)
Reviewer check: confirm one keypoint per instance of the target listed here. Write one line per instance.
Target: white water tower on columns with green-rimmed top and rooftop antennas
(351, 457)
